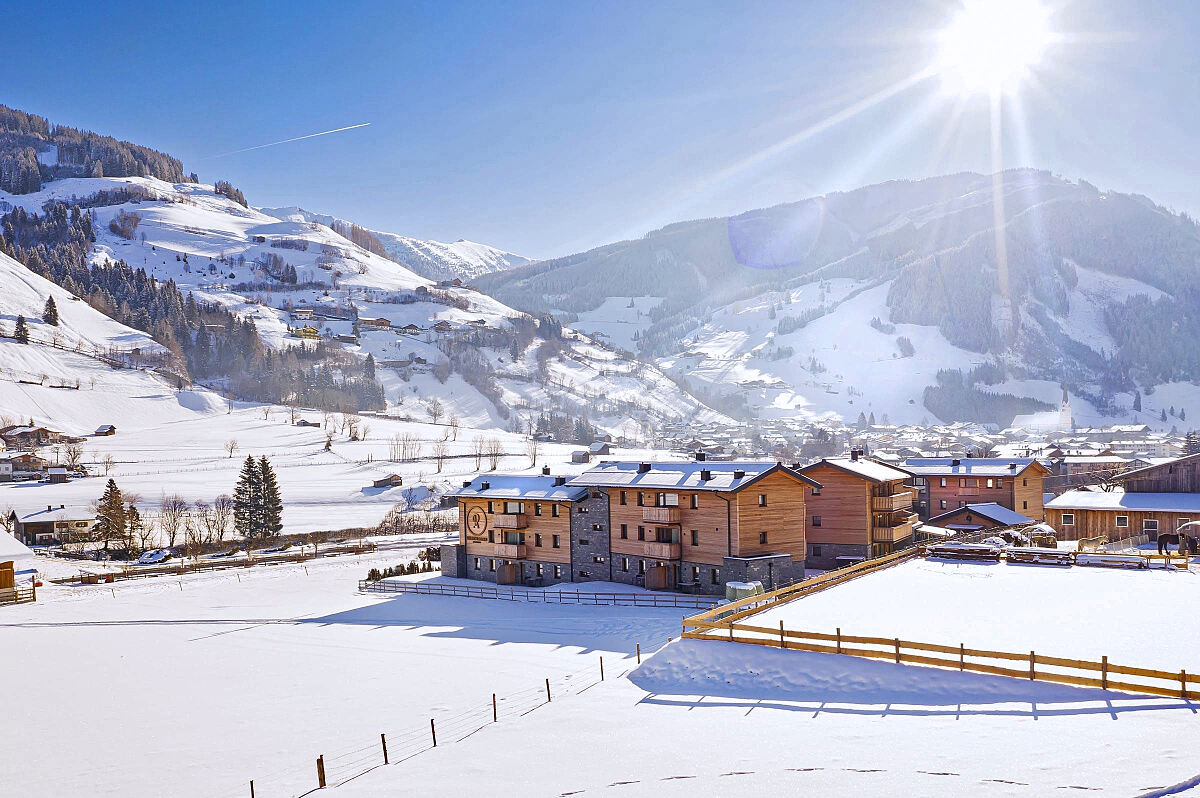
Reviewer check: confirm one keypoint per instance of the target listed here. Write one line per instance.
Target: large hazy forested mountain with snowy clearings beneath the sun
(777, 305)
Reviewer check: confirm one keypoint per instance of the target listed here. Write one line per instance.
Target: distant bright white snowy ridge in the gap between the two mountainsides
(434, 260)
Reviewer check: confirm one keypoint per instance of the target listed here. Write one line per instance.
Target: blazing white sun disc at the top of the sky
(992, 46)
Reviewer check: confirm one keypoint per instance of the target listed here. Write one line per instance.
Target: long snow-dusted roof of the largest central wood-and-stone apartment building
(725, 476)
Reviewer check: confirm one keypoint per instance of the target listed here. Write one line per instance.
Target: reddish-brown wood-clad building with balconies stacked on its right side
(863, 509)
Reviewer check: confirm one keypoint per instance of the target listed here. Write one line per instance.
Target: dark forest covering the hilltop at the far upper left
(80, 154)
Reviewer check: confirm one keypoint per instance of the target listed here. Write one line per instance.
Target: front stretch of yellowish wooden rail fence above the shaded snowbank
(1034, 665)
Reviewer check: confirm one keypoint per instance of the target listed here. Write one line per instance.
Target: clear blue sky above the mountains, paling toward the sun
(550, 128)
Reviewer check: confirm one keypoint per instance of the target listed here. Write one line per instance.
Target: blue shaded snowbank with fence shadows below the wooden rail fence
(713, 674)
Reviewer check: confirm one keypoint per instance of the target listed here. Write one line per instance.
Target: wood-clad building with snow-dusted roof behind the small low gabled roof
(950, 483)
